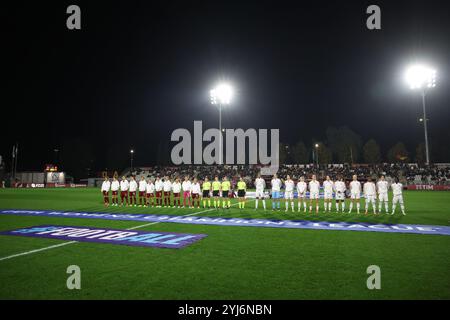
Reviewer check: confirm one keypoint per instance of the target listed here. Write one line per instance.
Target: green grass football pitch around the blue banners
(232, 262)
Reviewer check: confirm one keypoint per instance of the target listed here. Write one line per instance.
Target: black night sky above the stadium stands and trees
(138, 70)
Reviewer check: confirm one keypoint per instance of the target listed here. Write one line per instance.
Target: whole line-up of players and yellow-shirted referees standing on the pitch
(162, 189)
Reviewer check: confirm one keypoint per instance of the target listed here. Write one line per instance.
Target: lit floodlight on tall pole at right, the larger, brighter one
(422, 78)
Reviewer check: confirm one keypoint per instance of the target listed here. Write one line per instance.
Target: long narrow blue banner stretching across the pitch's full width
(240, 222)
